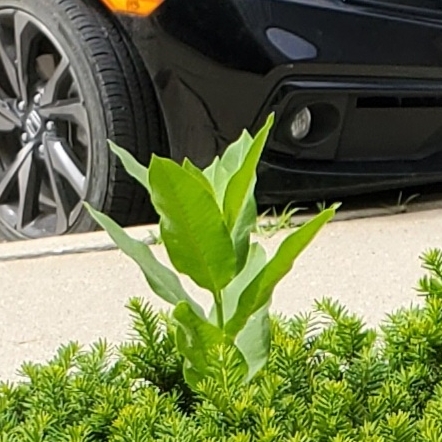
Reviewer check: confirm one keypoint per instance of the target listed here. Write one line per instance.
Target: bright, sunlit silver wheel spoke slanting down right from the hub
(64, 163)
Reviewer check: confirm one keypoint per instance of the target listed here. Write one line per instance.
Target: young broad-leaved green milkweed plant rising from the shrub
(206, 220)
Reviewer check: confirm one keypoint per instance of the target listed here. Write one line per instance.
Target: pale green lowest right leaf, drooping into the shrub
(253, 341)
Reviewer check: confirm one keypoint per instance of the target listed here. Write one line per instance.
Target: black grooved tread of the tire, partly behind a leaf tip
(130, 107)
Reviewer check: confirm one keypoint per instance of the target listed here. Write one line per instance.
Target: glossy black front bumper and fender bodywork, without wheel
(370, 71)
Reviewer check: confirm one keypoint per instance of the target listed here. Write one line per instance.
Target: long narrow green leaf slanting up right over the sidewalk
(259, 292)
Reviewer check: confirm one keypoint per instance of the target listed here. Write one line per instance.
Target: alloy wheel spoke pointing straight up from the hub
(23, 35)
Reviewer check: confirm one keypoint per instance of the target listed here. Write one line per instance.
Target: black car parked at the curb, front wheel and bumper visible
(356, 86)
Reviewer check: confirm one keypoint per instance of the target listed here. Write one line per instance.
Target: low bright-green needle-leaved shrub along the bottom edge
(328, 378)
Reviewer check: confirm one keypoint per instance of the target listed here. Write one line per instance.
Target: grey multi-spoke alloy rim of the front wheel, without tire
(45, 133)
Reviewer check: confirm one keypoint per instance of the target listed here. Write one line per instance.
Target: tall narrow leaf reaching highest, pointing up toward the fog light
(239, 203)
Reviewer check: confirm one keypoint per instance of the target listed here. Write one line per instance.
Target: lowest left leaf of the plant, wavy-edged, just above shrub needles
(195, 339)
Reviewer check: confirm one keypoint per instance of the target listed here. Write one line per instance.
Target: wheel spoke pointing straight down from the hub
(29, 189)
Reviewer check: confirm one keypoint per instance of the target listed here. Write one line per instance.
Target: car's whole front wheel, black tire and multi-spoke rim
(69, 80)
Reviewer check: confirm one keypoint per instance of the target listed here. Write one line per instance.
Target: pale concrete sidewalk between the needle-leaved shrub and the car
(50, 293)
